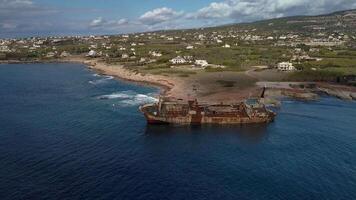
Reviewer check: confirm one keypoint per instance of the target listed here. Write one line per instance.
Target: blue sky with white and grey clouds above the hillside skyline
(24, 18)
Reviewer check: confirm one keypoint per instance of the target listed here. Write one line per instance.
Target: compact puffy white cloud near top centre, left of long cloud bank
(159, 15)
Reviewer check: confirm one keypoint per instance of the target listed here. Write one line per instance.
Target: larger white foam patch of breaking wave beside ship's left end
(130, 98)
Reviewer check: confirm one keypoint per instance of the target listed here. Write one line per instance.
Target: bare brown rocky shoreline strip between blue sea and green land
(179, 89)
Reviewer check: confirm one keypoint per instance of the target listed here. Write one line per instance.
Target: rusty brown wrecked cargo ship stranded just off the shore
(168, 111)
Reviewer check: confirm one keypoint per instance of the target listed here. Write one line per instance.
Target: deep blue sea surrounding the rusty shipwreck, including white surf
(66, 133)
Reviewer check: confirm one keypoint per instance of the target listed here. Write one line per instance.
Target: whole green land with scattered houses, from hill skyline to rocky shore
(232, 57)
